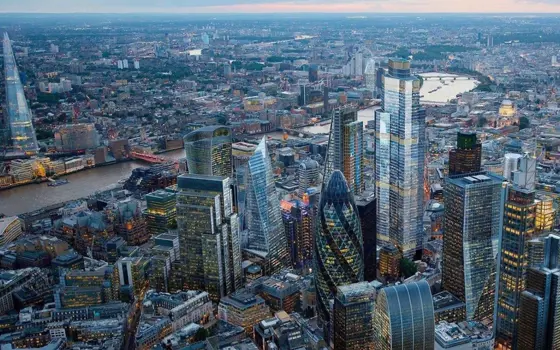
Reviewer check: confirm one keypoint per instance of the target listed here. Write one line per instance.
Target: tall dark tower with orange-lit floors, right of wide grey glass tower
(518, 229)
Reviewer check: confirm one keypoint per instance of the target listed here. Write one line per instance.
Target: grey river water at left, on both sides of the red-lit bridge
(31, 197)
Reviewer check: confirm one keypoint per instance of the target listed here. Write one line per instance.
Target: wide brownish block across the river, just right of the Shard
(76, 137)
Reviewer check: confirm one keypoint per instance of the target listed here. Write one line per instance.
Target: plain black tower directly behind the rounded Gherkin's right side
(367, 211)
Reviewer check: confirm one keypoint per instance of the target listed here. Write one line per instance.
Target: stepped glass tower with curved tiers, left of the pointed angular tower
(208, 234)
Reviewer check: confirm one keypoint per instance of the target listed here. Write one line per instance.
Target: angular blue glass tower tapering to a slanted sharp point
(267, 239)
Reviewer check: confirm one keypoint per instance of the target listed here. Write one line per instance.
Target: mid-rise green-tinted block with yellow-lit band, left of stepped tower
(161, 211)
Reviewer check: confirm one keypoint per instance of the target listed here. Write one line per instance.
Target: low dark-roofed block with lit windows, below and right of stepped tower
(243, 309)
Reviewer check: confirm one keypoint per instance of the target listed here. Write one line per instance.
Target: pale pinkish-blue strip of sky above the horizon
(276, 6)
